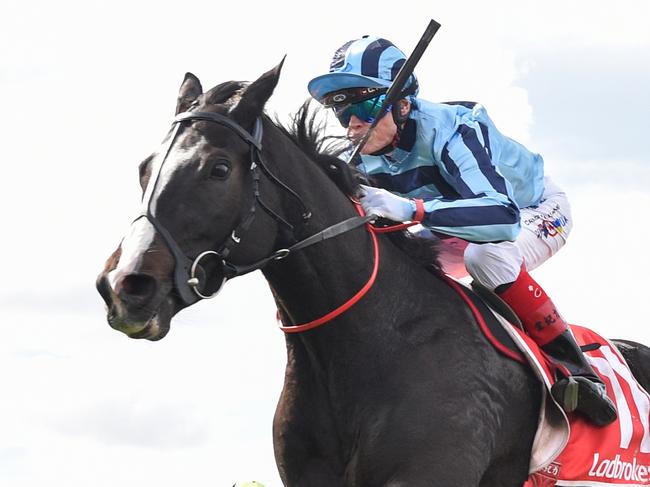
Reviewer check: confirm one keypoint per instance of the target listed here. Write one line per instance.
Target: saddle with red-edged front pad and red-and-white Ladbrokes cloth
(568, 450)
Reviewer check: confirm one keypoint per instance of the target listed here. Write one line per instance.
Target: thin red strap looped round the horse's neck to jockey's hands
(373, 275)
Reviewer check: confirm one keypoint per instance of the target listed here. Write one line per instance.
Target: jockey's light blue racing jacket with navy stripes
(472, 178)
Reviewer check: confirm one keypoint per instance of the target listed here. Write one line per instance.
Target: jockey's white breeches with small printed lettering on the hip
(545, 229)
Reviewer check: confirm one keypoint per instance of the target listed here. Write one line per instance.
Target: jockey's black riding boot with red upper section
(578, 388)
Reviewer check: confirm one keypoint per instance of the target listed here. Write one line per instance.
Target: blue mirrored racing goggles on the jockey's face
(364, 103)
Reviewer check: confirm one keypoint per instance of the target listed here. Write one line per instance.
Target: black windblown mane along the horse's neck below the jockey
(307, 132)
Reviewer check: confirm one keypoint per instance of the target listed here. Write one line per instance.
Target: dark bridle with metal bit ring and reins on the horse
(188, 272)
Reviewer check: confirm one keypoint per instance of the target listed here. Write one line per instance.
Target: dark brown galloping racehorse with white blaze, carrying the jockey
(397, 386)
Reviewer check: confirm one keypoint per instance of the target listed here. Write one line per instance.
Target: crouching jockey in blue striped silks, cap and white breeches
(447, 165)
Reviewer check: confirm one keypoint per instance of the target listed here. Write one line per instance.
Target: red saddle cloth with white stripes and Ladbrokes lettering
(615, 455)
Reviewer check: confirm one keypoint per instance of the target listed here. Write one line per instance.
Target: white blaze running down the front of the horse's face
(141, 234)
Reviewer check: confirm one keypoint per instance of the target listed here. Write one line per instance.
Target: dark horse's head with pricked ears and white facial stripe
(199, 198)
